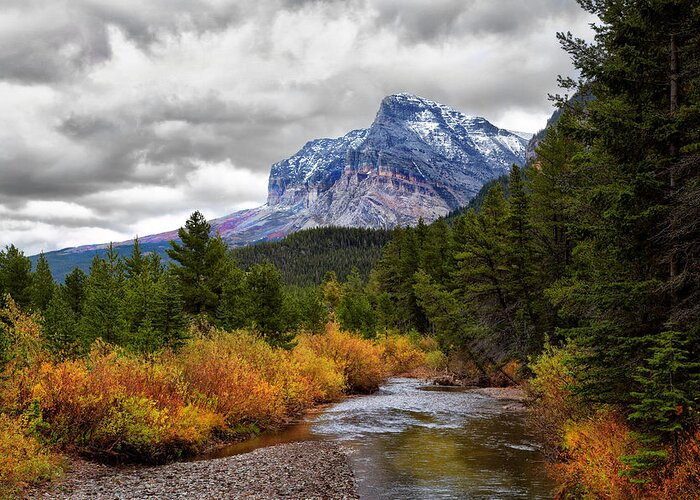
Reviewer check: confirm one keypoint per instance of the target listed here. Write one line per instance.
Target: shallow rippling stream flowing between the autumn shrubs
(411, 441)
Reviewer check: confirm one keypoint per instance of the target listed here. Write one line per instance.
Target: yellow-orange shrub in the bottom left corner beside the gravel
(23, 459)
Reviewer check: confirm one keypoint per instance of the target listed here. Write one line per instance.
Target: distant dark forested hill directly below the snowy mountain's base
(304, 257)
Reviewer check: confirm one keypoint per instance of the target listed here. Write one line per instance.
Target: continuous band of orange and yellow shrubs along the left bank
(111, 403)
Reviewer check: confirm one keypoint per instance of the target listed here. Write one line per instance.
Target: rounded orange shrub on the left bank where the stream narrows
(358, 359)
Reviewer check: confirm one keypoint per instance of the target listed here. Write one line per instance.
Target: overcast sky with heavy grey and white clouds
(121, 117)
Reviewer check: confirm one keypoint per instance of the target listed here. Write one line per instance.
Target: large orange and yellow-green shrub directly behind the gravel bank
(120, 406)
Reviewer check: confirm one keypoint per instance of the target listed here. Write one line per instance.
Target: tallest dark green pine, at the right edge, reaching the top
(629, 278)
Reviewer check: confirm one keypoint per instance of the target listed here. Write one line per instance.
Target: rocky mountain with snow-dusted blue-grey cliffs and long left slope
(418, 159)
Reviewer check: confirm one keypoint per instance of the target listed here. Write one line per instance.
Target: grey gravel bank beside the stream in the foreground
(298, 470)
